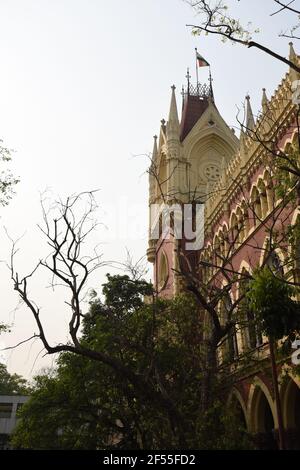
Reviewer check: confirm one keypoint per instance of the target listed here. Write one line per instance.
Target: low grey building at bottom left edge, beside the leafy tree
(9, 406)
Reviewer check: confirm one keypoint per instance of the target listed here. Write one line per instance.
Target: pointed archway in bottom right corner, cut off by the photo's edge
(290, 395)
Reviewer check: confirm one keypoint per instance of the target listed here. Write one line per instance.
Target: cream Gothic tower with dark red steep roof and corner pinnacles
(187, 160)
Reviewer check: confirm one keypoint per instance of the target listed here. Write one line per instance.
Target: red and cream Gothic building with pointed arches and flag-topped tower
(199, 158)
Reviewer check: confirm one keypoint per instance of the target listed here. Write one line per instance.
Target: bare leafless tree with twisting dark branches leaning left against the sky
(67, 226)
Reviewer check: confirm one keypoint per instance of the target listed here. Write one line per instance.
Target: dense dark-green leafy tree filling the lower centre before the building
(86, 404)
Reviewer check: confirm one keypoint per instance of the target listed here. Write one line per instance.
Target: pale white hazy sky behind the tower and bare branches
(83, 86)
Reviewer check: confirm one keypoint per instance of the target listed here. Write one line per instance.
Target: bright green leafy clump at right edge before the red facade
(271, 299)
